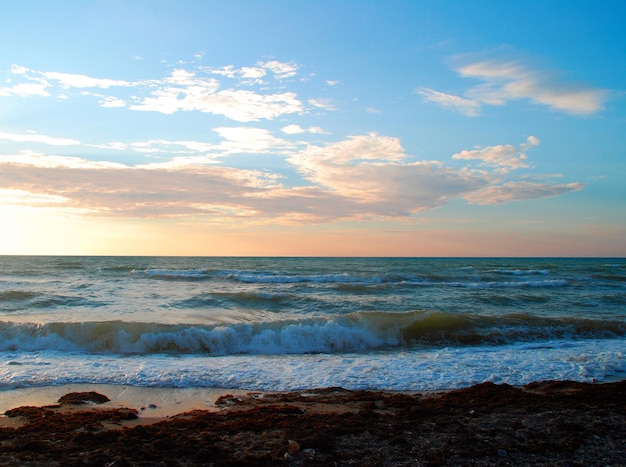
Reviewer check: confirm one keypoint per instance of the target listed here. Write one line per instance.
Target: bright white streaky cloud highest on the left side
(182, 90)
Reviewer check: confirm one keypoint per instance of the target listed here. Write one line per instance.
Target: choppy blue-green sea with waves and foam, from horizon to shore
(300, 323)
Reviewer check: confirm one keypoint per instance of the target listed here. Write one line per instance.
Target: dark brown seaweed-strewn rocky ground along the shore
(547, 423)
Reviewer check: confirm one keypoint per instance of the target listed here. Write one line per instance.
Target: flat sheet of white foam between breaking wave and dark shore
(410, 370)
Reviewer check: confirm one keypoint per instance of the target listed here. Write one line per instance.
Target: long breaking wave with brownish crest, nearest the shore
(361, 331)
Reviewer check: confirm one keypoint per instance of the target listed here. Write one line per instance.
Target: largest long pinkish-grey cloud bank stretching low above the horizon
(361, 177)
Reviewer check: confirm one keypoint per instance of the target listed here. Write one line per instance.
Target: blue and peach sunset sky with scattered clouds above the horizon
(313, 128)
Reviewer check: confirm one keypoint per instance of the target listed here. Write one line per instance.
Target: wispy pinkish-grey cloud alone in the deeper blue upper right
(506, 81)
